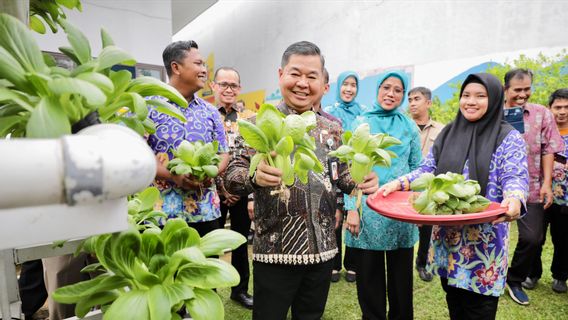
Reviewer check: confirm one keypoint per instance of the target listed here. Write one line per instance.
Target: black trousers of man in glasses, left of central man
(240, 222)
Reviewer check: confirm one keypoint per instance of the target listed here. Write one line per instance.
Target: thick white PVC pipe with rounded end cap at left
(102, 162)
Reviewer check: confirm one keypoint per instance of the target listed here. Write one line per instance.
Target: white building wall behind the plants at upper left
(141, 27)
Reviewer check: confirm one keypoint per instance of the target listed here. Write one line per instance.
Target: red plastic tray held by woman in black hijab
(396, 206)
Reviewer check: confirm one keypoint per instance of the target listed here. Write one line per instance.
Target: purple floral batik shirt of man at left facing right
(203, 123)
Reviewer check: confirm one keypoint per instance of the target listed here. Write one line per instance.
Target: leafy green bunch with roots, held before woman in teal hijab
(362, 151)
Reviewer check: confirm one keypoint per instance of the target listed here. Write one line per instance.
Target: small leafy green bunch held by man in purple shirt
(196, 158)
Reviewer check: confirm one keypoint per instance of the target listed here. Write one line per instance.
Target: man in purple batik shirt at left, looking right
(182, 196)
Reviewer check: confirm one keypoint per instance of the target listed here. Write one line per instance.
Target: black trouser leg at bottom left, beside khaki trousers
(32, 287)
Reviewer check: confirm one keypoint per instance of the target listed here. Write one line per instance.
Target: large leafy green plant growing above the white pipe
(40, 100)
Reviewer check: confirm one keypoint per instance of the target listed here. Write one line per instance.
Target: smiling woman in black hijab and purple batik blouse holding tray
(472, 260)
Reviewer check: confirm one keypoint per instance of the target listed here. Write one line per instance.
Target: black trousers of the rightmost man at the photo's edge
(557, 217)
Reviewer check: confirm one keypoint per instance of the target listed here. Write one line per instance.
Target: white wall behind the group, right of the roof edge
(368, 35)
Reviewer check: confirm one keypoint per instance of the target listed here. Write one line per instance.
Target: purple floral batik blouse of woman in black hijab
(475, 257)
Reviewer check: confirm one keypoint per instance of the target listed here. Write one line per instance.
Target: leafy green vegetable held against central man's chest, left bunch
(282, 135)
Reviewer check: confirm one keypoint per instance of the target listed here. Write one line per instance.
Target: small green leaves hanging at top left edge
(51, 12)
